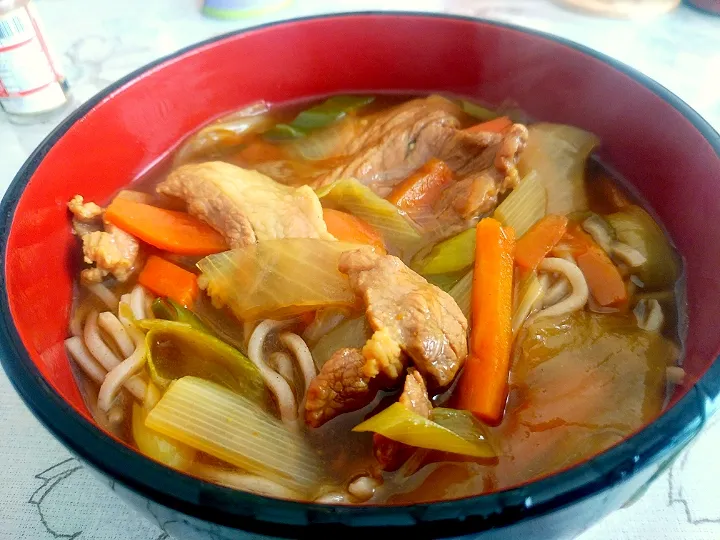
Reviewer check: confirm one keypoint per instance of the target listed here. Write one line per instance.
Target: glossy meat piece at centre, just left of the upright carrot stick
(423, 320)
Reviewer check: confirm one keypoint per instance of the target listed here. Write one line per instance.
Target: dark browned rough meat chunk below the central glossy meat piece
(340, 387)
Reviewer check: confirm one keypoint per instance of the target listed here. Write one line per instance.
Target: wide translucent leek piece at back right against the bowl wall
(558, 154)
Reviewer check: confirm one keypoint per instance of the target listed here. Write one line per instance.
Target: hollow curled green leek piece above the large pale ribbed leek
(176, 350)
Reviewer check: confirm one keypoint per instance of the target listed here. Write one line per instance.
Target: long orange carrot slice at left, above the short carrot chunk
(169, 230)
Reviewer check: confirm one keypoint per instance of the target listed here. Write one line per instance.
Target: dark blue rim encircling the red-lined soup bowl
(215, 504)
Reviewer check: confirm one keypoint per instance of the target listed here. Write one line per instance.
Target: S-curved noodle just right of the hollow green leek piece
(280, 388)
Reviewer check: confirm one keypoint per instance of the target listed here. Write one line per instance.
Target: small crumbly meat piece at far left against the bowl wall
(112, 251)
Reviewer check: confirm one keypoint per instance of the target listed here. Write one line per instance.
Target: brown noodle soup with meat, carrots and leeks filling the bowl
(375, 299)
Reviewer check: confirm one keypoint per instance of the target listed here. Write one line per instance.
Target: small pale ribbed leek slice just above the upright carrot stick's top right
(526, 205)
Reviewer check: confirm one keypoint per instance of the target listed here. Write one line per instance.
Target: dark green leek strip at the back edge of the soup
(328, 112)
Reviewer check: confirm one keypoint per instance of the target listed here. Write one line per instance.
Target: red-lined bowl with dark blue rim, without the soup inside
(651, 137)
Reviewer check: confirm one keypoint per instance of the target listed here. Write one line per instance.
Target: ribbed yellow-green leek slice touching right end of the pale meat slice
(400, 235)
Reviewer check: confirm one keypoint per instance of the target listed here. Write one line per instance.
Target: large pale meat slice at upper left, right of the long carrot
(246, 206)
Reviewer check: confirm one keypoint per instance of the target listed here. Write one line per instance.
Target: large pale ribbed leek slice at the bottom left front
(229, 427)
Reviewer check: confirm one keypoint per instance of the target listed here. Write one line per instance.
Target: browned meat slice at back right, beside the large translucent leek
(486, 165)
